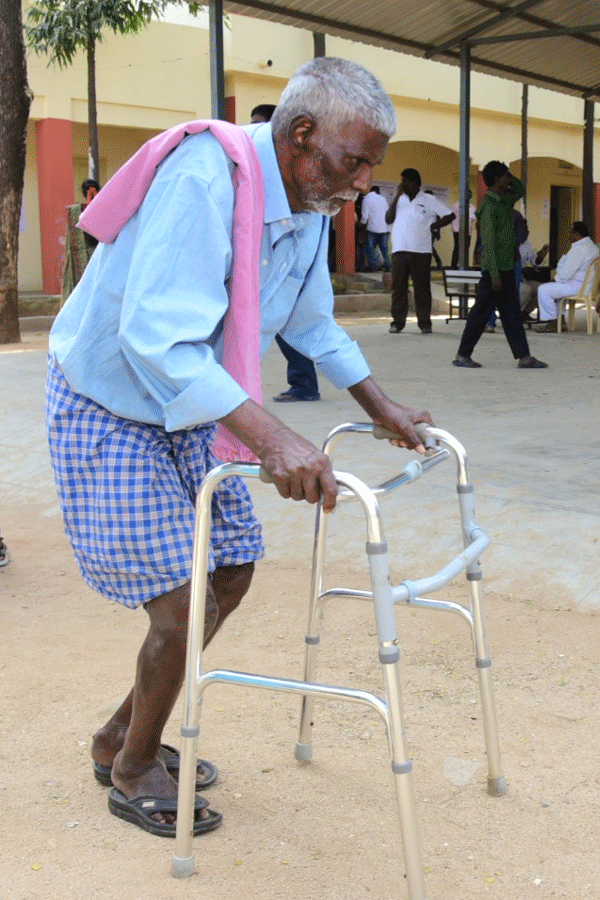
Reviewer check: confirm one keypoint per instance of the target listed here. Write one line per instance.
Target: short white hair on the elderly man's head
(334, 92)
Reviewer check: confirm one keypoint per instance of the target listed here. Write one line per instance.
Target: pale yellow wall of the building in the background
(151, 81)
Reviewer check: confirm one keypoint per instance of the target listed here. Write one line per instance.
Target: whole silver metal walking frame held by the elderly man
(440, 446)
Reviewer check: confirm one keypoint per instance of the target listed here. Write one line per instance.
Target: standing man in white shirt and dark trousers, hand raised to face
(414, 216)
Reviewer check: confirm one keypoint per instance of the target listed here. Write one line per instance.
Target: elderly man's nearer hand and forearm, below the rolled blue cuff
(298, 469)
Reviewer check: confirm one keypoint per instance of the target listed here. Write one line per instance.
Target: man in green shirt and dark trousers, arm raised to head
(497, 287)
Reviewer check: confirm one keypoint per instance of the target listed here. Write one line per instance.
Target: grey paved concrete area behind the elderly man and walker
(531, 436)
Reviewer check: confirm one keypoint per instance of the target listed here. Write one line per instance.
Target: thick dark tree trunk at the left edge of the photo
(14, 112)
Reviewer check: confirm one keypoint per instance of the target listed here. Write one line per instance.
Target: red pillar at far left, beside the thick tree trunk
(54, 142)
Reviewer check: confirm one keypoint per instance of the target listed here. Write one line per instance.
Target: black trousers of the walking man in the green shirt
(507, 303)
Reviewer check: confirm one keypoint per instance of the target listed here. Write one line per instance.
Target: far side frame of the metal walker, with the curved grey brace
(474, 540)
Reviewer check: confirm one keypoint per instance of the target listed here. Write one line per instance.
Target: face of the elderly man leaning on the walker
(336, 166)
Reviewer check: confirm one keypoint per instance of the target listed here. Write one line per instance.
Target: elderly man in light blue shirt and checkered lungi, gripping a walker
(144, 359)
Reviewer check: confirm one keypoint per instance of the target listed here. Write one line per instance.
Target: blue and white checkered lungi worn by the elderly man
(127, 492)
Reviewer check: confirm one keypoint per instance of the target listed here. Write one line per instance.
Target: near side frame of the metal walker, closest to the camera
(183, 863)
